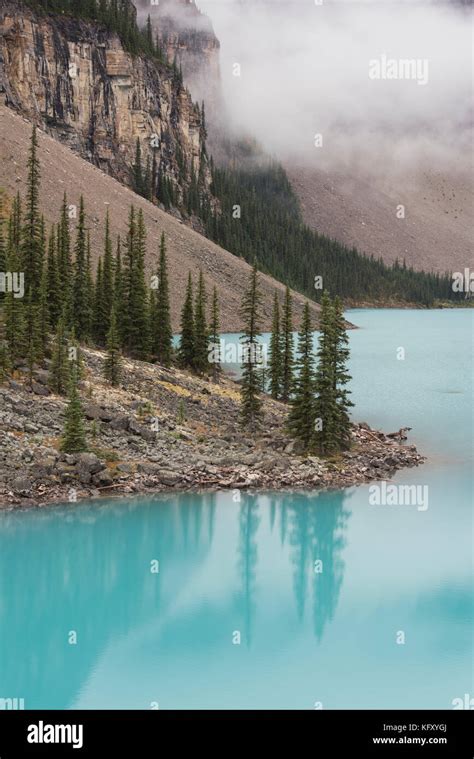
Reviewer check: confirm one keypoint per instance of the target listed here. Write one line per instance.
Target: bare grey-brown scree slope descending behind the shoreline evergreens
(62, 170)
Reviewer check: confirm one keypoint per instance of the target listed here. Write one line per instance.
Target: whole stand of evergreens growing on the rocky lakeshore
(62, 304)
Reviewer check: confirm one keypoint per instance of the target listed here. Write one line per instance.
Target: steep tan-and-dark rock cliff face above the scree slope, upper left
(76, 81)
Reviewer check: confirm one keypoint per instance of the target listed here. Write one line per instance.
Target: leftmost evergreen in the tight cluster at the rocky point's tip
(302, 413)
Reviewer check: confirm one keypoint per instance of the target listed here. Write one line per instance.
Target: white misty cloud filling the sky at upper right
(305, 71)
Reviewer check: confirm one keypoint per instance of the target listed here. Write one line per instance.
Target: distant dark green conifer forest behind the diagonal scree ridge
(271, 228)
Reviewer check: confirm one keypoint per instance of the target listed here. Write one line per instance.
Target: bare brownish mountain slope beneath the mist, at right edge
(358, 210)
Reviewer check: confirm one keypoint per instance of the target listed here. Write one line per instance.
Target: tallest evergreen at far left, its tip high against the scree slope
(31, 250)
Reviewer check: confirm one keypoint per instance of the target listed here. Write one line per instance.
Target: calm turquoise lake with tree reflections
(306, 638)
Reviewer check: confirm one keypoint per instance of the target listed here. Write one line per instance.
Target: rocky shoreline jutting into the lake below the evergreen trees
(165, 430)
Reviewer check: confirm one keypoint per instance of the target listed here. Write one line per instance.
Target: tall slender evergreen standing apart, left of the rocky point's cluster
(251, 404)
